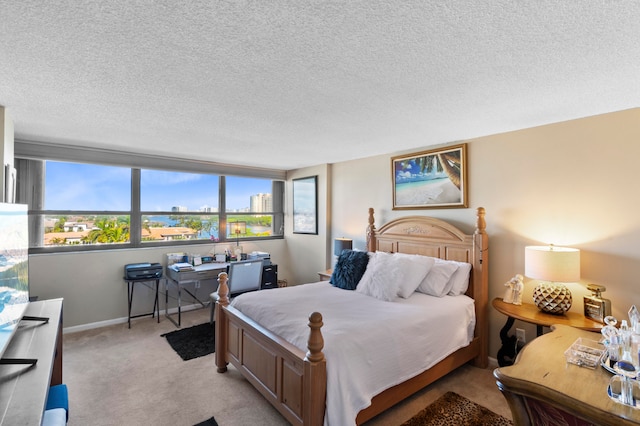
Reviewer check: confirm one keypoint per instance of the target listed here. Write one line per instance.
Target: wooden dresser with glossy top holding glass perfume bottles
(542, 380)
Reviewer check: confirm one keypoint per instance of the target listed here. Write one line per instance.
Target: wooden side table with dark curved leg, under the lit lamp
(530, 313)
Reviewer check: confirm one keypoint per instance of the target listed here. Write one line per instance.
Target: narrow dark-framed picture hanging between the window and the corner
(305, 205)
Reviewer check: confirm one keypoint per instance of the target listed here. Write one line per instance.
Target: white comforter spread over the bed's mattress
(370, 345)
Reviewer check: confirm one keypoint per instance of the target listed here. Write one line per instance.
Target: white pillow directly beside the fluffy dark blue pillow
(380, 279)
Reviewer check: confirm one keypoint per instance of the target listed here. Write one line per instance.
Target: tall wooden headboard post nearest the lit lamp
(481, 286)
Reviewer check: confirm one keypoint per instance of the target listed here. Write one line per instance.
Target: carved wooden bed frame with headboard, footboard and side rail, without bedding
(295, 382)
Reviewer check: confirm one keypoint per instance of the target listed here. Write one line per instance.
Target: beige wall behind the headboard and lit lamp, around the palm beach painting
(572, 183)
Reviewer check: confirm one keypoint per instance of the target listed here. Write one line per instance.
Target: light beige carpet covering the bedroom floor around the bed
(121, 376)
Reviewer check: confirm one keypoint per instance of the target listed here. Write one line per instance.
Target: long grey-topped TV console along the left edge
(24, 390)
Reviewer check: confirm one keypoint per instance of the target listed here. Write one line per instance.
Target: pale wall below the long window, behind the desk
(92, 284)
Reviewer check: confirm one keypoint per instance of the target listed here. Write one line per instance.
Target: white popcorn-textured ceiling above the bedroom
(287, 84)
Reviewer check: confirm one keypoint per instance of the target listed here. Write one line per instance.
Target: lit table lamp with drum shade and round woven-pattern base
(554, 266)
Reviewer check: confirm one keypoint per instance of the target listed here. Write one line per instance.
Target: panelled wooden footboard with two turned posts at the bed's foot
(292, 381)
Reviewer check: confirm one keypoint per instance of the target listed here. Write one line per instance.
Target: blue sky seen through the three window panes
(74, 186)
